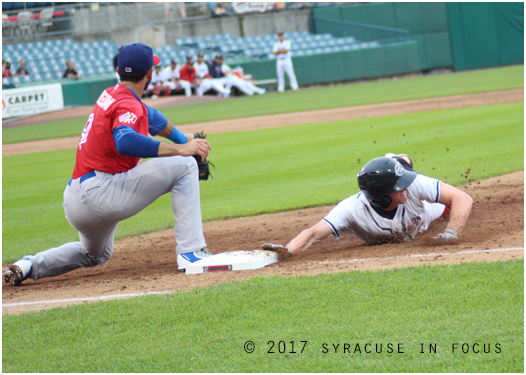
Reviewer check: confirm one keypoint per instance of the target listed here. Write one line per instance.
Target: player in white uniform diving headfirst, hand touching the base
(394, 204)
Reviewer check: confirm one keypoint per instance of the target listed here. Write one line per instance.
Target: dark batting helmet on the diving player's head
(381, 177)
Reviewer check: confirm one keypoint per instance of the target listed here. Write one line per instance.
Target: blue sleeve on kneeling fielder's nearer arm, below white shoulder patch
(130, 143)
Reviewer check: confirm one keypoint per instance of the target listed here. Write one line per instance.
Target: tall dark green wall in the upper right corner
(448, 35)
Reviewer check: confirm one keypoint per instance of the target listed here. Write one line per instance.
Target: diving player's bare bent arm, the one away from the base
(460, 203)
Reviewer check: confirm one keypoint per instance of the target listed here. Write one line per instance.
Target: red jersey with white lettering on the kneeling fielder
(96, 150)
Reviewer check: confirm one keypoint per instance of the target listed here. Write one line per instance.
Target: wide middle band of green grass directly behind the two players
(277, 169)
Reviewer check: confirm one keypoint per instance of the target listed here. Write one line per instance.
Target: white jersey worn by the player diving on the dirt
(355, 215)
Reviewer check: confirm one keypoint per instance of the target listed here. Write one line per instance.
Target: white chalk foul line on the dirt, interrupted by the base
(129, 295)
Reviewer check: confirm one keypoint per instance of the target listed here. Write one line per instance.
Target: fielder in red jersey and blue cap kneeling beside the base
(109, 184)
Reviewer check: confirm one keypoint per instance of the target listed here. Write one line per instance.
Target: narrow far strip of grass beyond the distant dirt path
(320, 98)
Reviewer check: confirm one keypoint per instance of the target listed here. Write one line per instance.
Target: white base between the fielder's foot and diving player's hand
(233, 261)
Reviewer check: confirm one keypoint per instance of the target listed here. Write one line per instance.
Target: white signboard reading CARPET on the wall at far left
(31, 100)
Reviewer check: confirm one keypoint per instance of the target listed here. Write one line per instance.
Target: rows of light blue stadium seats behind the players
(46, 60)
